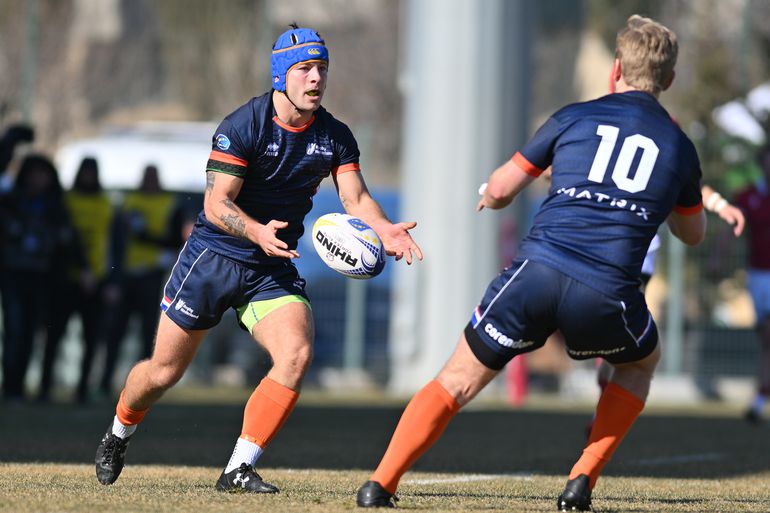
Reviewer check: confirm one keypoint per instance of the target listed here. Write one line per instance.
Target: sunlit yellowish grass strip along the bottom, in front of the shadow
(27, 488)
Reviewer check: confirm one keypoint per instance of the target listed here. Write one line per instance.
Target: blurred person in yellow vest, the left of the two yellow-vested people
(81, 287)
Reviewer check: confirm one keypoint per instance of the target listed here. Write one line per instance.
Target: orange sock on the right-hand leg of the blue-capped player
(266, 410)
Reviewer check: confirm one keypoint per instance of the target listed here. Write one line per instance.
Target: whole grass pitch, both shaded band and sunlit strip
(489, 459)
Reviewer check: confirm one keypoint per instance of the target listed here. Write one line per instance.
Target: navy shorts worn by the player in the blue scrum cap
(204, 284)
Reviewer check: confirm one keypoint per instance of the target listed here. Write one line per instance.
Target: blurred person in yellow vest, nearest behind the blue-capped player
(146, 247)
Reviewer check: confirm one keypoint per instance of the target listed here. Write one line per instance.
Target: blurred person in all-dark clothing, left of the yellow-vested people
(36, 244)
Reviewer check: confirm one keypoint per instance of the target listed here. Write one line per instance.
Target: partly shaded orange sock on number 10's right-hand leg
(615, 414)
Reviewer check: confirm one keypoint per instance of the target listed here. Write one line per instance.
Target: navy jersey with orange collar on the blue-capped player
(281, 166)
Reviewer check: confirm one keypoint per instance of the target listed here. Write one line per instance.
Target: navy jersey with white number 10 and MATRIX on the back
(620, 165)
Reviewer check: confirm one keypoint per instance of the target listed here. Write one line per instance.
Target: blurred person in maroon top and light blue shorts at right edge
(755, 203)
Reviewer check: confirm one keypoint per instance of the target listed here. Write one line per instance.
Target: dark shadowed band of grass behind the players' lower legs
(338, 437)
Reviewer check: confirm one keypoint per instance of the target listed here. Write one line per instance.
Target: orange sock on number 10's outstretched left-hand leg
(424, 419)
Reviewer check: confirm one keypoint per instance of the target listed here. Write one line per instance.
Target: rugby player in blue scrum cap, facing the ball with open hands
(268, 158)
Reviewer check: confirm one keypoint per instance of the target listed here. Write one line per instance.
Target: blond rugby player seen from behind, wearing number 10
(621, 167)
